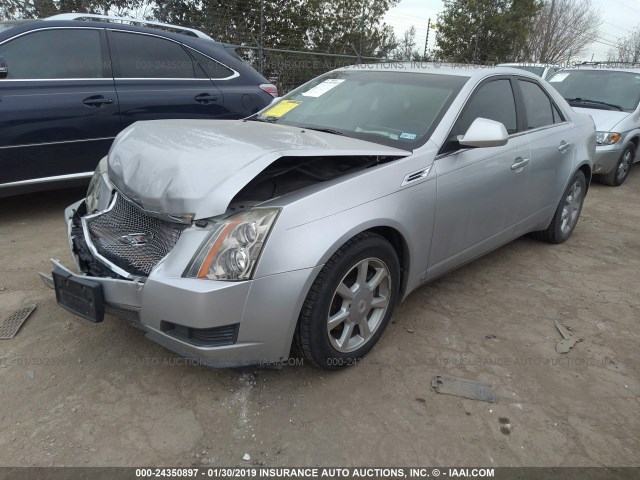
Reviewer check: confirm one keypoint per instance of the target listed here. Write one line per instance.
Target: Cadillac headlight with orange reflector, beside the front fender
(231, 250)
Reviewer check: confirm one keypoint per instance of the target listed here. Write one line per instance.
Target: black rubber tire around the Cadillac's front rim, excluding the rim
(371, 246)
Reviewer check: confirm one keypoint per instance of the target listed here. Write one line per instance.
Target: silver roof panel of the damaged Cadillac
(460, 70)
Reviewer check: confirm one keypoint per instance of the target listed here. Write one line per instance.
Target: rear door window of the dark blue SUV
(147, 56)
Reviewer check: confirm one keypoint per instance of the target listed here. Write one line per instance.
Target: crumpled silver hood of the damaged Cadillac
(196, 167)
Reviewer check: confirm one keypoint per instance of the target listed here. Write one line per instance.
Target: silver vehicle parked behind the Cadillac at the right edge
(612, 97)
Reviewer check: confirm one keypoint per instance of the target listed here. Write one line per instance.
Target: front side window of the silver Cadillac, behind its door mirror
(494, 100)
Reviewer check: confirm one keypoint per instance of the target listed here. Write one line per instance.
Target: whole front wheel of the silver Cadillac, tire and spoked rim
(360, 310)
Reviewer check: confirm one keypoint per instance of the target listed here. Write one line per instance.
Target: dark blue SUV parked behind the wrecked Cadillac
(70, 83)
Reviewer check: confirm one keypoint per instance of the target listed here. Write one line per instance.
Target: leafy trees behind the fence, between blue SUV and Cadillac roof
(331, 26)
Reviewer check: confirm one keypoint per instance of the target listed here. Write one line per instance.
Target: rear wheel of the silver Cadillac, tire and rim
(568, 212)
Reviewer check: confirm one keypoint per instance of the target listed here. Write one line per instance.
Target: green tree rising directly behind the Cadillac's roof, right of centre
(485, 31)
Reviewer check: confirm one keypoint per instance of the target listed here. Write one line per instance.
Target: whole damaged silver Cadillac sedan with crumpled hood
(300, 228)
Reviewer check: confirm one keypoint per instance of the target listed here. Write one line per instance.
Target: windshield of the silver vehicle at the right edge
(608, 89)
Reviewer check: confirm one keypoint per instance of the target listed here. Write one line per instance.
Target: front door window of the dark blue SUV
(64, 53)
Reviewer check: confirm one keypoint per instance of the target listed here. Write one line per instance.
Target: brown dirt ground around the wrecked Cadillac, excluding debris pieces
(78, 394)
